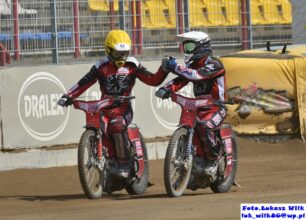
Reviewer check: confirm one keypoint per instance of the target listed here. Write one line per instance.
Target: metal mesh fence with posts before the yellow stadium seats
(50, 31)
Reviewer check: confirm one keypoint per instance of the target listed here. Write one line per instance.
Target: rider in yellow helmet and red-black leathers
(116, 73)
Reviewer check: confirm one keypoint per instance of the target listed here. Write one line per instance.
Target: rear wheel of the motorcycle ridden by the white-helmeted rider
(222, 185)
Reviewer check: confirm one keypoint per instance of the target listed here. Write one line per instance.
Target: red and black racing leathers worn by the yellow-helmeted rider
(116, 81)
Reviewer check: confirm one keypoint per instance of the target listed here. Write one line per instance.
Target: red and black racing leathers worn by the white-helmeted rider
(208, 78)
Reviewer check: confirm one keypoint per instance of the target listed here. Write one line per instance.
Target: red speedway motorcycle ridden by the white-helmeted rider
(180, 173)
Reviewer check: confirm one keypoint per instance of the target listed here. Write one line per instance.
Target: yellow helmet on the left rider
(117, 46)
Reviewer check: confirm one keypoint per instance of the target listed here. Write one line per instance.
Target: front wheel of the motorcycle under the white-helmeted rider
(176, 177)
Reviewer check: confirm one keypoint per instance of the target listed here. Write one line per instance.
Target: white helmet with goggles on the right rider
(196, 44)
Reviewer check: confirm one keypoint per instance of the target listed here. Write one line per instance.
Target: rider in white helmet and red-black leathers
(208, 77)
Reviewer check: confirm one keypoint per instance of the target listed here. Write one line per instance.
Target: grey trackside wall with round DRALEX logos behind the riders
(32, 120)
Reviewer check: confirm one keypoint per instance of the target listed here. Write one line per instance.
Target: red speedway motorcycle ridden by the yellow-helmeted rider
(97, 163)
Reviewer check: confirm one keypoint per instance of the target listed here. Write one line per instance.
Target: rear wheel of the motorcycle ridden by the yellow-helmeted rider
(139, 185)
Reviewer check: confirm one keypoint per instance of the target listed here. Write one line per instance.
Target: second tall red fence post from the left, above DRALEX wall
(77, 52)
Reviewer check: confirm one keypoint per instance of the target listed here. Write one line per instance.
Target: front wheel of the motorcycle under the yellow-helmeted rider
(89, 173)
